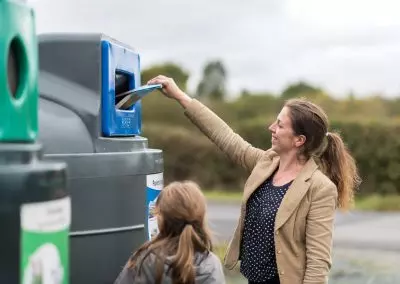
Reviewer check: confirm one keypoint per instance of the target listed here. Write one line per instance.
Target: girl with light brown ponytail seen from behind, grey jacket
(181, 252)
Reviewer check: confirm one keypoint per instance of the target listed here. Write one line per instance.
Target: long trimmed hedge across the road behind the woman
(188, 154)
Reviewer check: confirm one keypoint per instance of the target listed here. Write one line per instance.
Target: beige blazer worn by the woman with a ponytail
(305, 218)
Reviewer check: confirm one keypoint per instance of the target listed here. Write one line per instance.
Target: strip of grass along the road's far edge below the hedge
(369, 203)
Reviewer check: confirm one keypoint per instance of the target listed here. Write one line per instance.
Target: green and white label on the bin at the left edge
(45, 242)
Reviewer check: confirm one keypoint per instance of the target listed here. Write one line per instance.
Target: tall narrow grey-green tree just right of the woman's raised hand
(213, 82)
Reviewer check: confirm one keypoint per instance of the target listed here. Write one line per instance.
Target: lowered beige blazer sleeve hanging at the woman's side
(319, 231)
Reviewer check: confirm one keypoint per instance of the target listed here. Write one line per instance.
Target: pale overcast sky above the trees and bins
(341, 46)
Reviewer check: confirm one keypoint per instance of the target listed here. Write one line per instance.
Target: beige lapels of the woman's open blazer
(293, 196)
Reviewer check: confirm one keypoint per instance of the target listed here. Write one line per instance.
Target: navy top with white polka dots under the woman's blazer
(257, 252)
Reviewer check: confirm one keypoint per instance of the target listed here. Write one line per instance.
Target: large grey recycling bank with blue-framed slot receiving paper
(114, 178)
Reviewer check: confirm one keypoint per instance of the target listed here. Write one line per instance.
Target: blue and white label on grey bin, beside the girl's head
(154, 185)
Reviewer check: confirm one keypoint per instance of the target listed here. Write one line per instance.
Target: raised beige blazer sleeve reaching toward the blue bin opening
(229, 142)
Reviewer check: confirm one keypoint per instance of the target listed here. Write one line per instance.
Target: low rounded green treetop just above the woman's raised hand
(168, 69)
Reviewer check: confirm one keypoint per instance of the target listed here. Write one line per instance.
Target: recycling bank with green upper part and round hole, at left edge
(35, 209)
